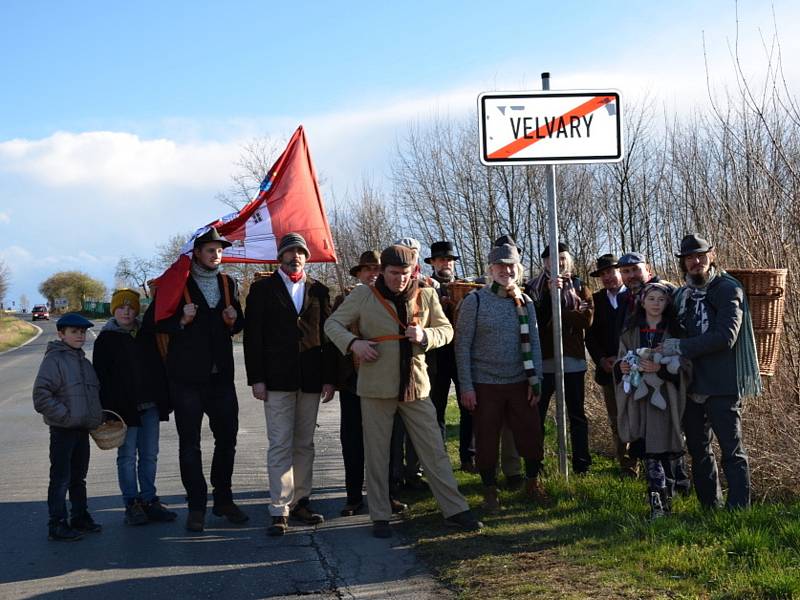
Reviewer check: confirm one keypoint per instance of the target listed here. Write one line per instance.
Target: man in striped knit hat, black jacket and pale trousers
(289, 364)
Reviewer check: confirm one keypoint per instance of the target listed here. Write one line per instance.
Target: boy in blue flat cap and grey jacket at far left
(66, 393)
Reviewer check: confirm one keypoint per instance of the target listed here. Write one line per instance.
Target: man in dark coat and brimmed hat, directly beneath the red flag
(200, 372)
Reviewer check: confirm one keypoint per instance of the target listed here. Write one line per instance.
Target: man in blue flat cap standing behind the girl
(636, 273)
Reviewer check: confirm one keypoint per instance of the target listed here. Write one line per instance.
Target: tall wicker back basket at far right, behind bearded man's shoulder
(766, 293)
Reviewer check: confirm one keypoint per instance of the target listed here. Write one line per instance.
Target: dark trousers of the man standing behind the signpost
(578, 424)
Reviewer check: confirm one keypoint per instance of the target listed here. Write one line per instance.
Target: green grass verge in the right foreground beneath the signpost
(594, 540)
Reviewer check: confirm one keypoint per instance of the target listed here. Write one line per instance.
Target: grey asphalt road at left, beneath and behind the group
(339, 559)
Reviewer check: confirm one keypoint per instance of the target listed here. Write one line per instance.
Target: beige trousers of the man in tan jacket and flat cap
(419, 418)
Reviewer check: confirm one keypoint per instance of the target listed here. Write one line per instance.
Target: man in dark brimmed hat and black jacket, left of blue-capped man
(602, 342)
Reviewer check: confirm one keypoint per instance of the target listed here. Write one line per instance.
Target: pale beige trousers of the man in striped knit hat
(291, 422)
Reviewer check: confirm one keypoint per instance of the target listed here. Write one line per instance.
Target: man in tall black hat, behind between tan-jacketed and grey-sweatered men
(442, 363)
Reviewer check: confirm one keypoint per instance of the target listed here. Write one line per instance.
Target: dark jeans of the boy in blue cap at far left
(69, 463)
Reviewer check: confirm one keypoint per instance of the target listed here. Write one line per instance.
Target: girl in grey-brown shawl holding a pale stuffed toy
(651, 391)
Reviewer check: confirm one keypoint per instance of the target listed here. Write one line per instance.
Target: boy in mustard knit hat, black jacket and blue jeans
(133, 385)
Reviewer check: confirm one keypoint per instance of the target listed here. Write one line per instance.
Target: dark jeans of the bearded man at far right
(721, 415)
